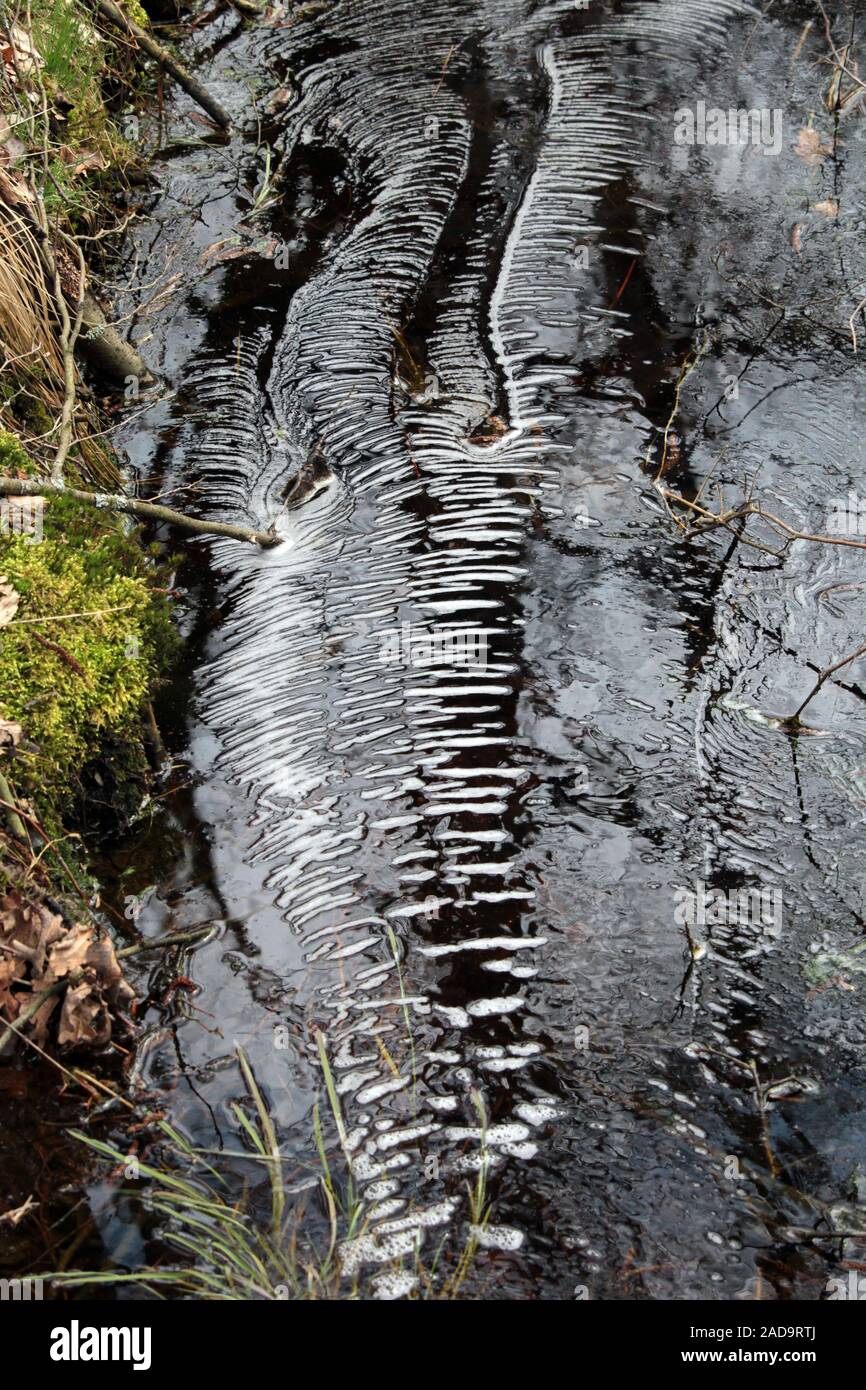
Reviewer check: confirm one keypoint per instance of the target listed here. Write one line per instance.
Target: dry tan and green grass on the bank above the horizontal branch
(56, 144)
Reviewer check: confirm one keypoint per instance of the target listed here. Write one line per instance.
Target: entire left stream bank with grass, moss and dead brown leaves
(87, 632)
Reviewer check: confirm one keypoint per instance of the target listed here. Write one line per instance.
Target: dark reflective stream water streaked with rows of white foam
(484, 266)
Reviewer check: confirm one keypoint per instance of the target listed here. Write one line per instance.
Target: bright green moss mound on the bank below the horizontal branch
(90, 586)
